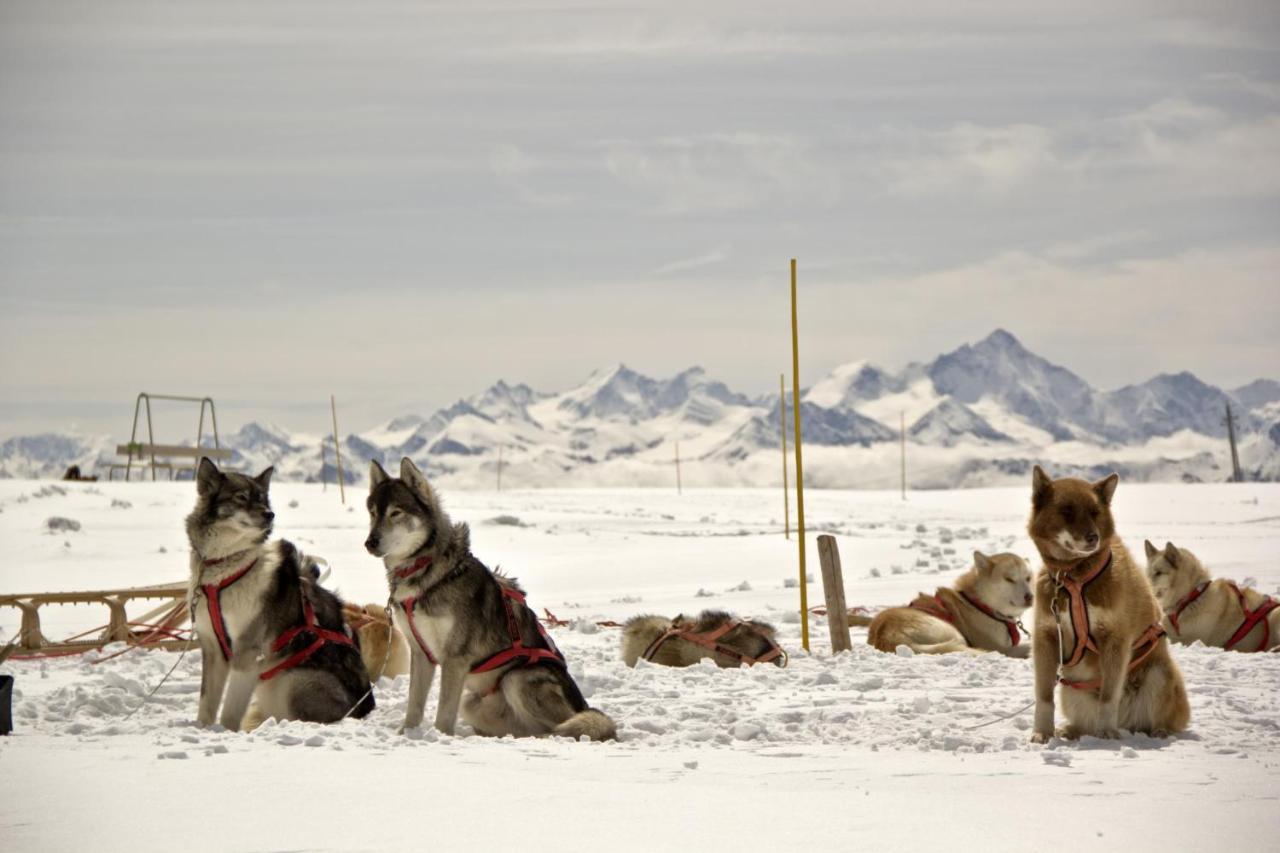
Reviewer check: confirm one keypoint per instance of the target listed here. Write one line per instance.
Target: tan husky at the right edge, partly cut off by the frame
(1215, 613)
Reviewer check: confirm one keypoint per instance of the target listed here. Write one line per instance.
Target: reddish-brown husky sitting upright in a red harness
(1098, 623)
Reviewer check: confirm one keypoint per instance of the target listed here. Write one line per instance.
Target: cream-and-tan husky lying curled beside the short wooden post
(980, 614)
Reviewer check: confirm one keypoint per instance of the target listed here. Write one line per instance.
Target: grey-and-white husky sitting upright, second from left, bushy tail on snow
(472, 624)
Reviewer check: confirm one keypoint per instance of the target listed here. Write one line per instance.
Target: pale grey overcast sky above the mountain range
(401, 203)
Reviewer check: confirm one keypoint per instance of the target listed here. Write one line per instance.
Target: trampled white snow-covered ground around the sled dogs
(863, 750)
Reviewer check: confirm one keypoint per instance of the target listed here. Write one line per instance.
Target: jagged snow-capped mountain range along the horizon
(981, 414)
